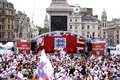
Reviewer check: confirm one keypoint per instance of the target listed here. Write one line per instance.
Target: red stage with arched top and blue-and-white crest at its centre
(60, 40)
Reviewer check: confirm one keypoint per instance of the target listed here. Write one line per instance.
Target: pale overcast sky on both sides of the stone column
(36, 9)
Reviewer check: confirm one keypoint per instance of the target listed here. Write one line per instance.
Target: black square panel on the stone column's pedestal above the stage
(58, 23)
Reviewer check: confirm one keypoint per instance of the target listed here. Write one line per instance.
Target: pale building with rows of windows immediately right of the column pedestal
(82, 22)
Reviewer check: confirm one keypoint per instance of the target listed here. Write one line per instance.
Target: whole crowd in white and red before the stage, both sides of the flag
(66, 67)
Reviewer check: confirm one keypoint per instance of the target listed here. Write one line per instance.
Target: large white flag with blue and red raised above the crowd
(45, 70)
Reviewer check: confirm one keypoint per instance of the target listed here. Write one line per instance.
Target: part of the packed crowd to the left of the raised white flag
(17, 67)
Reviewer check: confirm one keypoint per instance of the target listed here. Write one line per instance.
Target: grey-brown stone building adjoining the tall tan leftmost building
(22, 26)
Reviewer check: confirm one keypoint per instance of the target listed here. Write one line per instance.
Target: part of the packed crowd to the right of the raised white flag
(70, 67)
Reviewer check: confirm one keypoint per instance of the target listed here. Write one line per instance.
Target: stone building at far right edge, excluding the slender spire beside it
(113, 32)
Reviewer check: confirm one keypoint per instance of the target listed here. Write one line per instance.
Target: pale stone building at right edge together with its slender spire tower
(110, 29)
